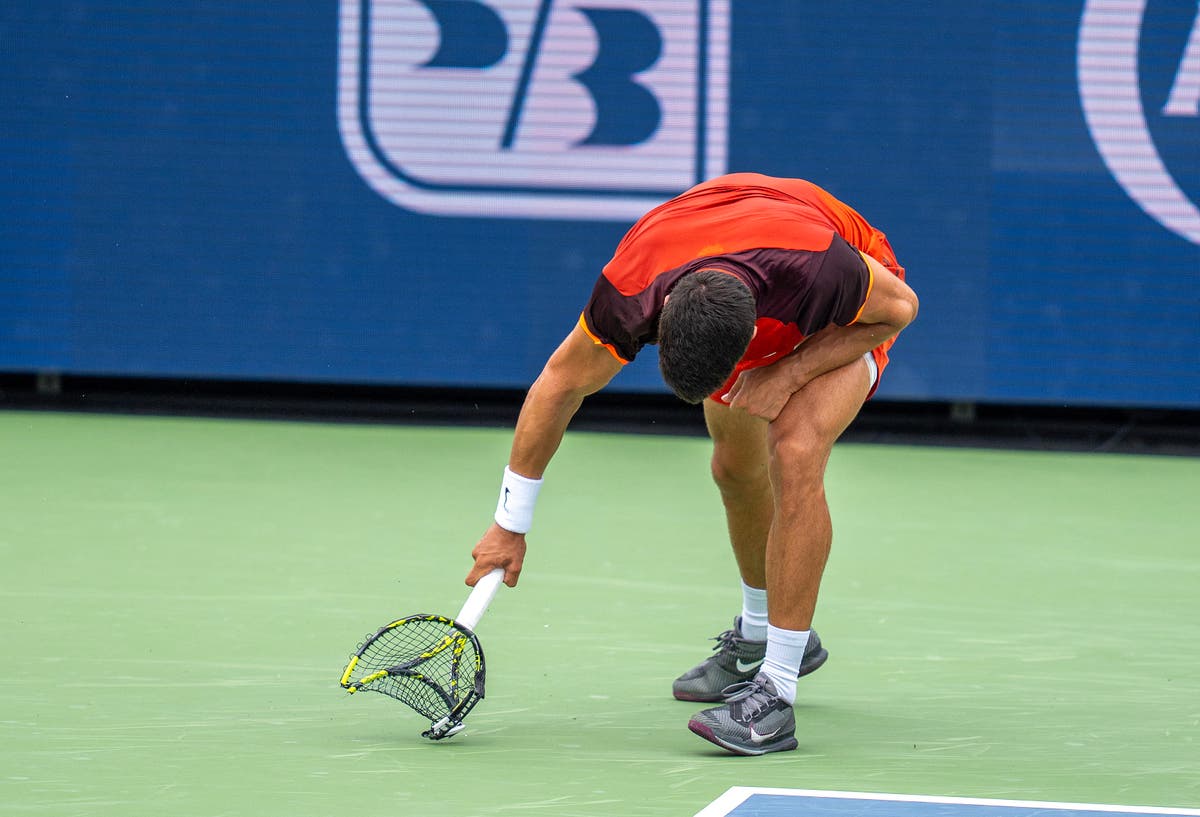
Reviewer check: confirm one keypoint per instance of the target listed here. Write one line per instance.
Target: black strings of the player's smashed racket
(425, 663)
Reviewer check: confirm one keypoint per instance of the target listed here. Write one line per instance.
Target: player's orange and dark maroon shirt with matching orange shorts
(795, 245)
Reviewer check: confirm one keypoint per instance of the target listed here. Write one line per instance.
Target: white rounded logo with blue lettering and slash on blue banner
(579, 110)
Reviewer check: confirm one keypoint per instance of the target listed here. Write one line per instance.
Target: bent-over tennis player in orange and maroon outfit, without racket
(775, 304)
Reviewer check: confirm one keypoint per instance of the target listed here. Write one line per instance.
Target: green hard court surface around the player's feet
(179, 599)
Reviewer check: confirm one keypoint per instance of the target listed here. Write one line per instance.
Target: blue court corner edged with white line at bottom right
(743, 802)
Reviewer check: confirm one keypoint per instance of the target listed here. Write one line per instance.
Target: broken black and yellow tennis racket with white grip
(431, 664)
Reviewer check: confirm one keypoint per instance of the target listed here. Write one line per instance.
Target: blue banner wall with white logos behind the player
(424, 191)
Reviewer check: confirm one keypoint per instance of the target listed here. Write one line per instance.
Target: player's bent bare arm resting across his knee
(890, 308)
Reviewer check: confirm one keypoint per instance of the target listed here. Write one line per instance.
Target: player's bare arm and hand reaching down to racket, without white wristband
(578, 369)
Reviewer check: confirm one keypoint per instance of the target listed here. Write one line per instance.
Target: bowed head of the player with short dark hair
(705, 329)
